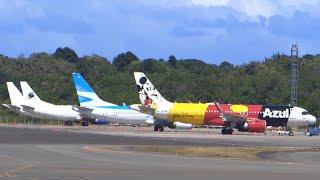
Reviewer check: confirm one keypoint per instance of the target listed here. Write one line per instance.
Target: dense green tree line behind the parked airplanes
(183, 80)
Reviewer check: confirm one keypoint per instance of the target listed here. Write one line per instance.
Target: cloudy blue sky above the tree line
(237, 31)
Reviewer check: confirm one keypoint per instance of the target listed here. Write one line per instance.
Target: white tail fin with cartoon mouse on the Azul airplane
(148, 94)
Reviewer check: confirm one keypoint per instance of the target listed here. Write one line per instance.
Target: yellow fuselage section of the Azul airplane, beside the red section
(188, 113)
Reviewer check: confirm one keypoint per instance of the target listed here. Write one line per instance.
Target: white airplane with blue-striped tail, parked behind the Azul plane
(94, 107)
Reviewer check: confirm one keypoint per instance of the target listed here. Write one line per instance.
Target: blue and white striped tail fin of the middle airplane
(87, 97)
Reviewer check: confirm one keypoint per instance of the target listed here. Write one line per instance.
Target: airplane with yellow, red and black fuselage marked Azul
(251, 118)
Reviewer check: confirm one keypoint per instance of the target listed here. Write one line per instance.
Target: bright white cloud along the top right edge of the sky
(251, 8)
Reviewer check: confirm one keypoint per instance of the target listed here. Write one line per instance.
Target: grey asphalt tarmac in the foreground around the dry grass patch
(28, 153)
